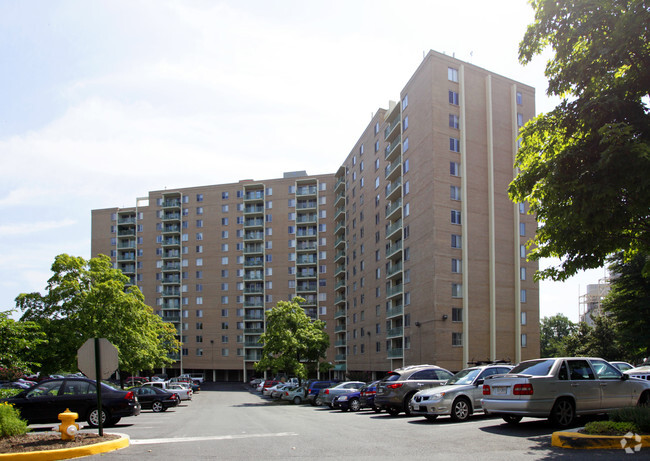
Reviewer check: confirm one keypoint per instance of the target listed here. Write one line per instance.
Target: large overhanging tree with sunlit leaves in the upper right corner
(584, 167)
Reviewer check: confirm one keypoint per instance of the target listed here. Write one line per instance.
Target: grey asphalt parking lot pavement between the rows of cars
(230, 422)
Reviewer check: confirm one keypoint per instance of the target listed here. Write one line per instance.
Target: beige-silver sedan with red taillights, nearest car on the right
(560, 389)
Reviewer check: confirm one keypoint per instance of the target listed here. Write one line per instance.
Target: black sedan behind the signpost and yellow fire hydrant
(43, 402)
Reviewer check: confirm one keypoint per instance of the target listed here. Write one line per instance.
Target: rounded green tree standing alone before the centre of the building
(292, 341)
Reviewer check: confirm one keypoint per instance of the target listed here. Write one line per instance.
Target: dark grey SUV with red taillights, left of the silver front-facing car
(395, 390)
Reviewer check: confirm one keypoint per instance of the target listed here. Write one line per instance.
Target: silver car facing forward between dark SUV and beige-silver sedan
(460, 397)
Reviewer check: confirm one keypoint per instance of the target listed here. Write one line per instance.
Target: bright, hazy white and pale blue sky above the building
(103, 101)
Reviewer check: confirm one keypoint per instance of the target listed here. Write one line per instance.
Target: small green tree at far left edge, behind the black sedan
(17, 340)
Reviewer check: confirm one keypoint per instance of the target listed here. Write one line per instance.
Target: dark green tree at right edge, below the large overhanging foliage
(628, 303)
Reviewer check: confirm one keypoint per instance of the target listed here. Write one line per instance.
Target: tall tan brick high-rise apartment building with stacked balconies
(411, 252)
